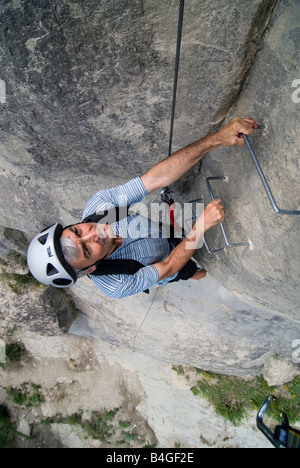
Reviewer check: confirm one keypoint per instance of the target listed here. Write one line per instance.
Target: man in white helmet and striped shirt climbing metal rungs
(59, 256)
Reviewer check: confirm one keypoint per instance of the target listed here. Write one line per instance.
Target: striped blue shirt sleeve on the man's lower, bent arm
(120, 286)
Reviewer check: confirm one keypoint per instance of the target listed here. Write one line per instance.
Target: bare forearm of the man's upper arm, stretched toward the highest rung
(171, 169)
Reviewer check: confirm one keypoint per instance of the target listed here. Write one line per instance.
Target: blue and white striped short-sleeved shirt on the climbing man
(141, 241)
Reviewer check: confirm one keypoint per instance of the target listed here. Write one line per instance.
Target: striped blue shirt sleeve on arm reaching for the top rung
(122, 195)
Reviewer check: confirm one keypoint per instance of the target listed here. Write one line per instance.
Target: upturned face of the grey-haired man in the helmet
(94, 241)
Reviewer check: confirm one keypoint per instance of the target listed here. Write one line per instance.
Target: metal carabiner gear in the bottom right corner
(284, 436)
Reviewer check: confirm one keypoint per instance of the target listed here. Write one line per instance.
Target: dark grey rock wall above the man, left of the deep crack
(89, 90)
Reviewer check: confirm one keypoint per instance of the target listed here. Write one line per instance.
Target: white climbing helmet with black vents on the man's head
(46, 261)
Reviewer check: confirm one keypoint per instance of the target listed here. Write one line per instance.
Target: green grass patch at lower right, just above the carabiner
(233, 397)
